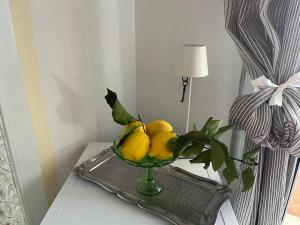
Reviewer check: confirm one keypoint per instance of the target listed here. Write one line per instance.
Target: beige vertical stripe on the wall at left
(31, 76)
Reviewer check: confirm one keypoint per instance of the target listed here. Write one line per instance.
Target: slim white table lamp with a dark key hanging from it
(192, 64)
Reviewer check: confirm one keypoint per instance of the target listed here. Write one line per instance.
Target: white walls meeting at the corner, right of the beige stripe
(85, 46)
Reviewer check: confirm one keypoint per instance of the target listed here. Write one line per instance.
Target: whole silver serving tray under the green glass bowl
(186, 198)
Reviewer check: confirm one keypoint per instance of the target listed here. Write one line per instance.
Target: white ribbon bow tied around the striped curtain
(262, 83)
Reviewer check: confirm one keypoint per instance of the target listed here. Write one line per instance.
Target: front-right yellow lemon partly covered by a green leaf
(159, 145)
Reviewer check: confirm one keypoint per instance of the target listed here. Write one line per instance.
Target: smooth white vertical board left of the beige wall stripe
(27, 172)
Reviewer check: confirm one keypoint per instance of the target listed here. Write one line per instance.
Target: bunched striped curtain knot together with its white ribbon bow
(272, 127)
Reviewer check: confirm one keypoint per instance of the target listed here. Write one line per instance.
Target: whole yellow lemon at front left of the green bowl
(135, 147)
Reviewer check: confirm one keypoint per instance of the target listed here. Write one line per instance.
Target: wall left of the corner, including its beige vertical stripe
(70, 52)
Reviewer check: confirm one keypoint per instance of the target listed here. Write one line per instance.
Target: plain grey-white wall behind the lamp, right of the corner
(161, 28)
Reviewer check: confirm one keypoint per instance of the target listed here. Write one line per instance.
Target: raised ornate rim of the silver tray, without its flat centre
(222, 191)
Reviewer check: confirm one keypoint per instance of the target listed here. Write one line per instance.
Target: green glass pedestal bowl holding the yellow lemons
(147, 185)
